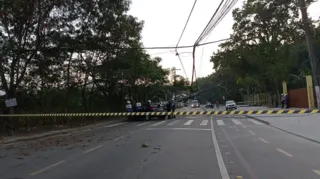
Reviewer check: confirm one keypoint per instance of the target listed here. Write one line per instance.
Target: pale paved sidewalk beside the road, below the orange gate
(302, 125)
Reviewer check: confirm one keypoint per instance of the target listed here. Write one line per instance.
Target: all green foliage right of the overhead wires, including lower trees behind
(266, 47)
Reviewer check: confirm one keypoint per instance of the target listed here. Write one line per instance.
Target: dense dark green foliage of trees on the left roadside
(75, 55)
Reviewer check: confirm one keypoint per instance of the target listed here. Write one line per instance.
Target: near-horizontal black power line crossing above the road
(76, 49)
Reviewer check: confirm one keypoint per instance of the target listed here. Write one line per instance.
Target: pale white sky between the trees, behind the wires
(163, 24)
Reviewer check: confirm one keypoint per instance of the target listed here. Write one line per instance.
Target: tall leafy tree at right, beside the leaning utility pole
(258, 53)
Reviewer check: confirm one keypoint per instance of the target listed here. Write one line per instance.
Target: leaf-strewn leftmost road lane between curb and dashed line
(19, 159)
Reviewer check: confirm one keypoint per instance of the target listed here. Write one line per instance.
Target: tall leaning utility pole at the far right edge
(314, 61)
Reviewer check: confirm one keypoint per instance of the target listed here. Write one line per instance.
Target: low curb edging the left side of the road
(57, 133)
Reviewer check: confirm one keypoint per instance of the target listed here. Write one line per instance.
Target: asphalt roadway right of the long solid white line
(260, 151)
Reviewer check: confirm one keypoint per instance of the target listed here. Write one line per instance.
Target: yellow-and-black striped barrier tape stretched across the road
(186, 113)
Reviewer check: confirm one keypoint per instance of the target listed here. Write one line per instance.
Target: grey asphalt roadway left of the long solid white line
(172, 153)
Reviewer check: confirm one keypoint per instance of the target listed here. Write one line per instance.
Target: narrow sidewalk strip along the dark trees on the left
(12, 139)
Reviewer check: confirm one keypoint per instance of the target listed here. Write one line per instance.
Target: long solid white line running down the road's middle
(222, 167)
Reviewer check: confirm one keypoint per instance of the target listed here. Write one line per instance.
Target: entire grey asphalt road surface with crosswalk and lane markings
(183, 148)
